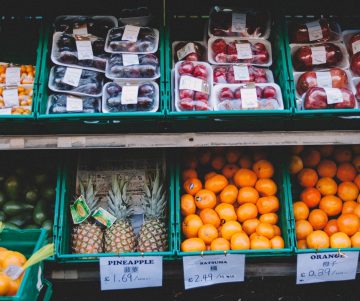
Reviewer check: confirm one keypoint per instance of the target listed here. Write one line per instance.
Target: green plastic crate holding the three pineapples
(63, 243)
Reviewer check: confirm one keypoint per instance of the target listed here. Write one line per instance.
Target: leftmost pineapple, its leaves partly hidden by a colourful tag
(87, 237)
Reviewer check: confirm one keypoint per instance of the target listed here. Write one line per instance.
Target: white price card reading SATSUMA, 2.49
(213, 269)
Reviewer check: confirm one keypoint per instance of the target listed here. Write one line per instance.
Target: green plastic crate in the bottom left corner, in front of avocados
(27, 242)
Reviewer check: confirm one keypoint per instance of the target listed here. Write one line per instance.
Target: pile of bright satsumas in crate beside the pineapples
(229, 201)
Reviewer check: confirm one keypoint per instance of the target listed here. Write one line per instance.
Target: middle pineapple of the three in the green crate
(120, 237)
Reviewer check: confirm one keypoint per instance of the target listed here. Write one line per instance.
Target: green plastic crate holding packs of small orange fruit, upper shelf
(23, 48)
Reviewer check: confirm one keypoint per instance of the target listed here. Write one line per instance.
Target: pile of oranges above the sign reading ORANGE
(327, 210)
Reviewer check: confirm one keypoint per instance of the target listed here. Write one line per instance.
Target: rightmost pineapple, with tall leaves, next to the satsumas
(153, 234)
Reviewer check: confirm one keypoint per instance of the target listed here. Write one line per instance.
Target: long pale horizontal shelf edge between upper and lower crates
(166, 140)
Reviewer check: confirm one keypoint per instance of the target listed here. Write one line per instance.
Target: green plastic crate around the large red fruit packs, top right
(299, 113)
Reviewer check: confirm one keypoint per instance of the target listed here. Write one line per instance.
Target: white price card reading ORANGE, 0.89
(322, 267)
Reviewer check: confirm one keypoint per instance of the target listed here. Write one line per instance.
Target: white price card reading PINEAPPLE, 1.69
(131, 272)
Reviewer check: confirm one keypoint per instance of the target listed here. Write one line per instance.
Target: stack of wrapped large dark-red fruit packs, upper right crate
(319, 65)
